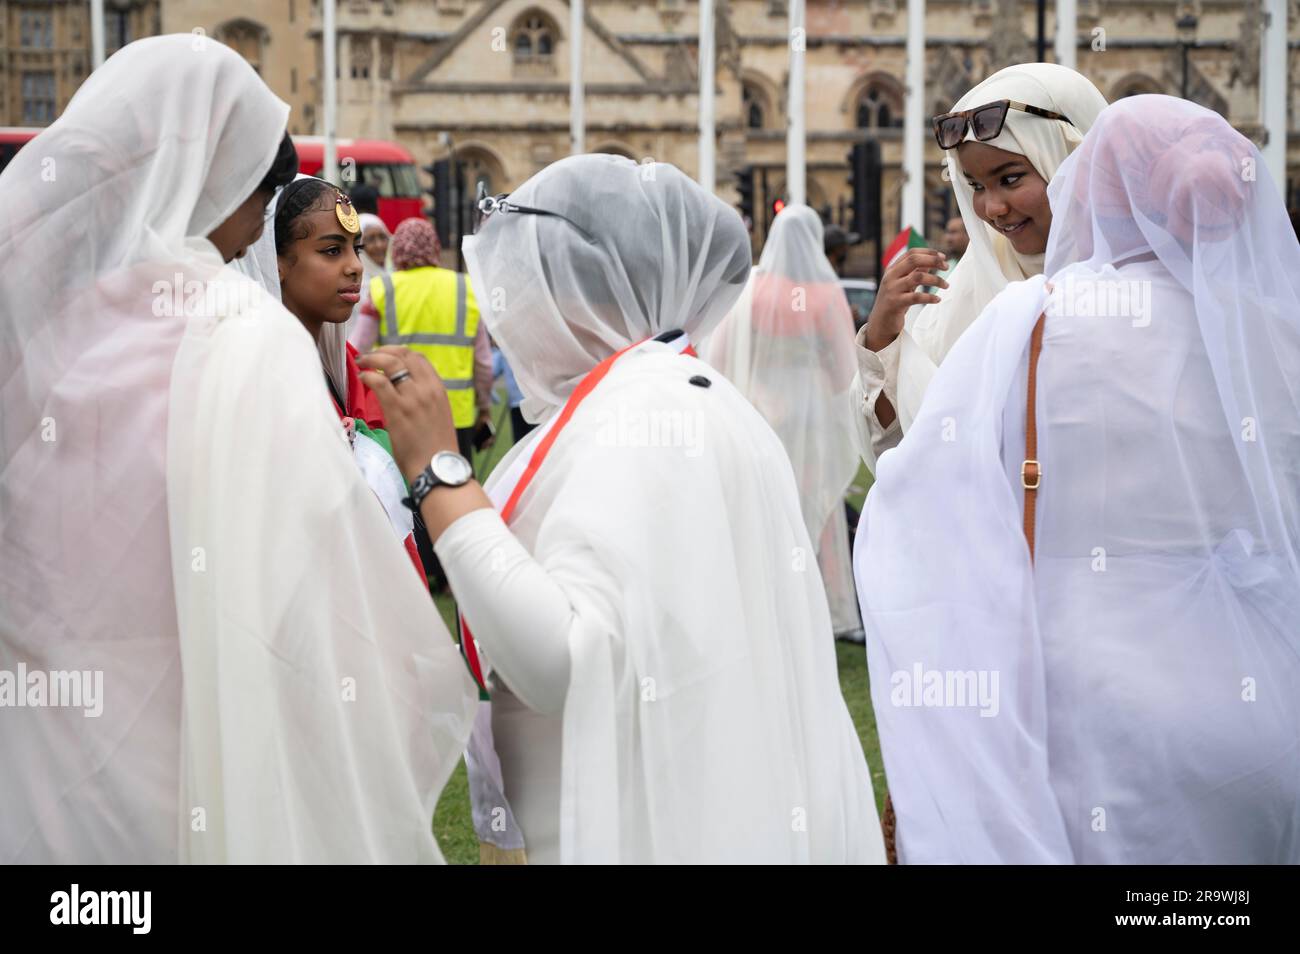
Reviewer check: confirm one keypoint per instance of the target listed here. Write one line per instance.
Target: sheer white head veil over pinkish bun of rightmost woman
(1171, 181)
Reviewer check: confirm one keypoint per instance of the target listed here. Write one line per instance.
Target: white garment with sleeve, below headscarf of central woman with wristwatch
(674, 691)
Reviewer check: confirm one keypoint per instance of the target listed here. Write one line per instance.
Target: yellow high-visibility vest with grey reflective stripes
(434, 311)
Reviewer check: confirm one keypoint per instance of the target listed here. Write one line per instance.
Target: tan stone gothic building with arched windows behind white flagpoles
(491, 79)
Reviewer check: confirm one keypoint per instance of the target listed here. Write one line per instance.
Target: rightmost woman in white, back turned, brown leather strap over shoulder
(1143, 651)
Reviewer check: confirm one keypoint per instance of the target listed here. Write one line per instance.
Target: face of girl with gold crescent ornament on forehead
(320, 275)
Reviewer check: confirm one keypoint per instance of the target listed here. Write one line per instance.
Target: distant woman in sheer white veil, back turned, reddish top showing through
(787, 346)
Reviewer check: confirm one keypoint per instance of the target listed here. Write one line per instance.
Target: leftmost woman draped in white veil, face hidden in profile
(180, 514)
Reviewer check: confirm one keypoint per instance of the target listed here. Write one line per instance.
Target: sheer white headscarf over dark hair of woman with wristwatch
(564, 294)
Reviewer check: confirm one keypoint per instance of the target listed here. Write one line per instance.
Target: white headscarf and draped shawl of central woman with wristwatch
(704, 719)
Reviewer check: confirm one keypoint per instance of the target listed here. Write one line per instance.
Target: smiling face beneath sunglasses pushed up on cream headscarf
(1009, 196)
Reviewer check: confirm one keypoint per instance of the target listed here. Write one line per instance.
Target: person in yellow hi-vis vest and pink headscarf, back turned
(432, 310)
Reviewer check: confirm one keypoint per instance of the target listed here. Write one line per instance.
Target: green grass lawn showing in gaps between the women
(452, 822)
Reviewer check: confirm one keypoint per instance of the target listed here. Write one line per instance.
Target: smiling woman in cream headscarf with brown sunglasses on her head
(911, 332)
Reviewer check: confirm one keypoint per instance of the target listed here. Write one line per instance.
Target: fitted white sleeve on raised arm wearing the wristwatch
(517, 612)
